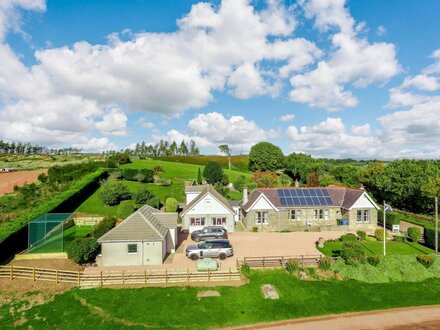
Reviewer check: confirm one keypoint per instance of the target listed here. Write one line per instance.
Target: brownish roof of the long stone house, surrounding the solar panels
(340, 196)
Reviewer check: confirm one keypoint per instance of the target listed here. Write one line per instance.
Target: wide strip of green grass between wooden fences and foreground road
(179, 307)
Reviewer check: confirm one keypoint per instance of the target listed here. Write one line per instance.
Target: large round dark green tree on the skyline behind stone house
(266, 156)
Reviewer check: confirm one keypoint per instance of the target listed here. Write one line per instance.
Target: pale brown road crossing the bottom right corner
(412, 318)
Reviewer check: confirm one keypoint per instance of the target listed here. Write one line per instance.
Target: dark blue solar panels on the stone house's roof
(304, 197)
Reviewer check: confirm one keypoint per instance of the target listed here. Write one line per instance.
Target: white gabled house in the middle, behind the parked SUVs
(206, 207)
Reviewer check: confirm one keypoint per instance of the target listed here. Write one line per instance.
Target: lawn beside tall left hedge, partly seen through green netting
(61, 241)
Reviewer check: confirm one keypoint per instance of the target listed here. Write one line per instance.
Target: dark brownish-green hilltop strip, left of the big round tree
(239, 163)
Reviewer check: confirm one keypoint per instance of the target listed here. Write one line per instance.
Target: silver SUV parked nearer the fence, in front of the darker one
(216, 248)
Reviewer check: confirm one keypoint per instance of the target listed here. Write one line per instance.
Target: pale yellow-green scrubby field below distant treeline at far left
(32, 162)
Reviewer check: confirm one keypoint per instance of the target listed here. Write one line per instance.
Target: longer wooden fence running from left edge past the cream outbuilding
(117, 277)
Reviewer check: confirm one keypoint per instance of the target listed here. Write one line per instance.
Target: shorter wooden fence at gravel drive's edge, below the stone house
(278, 261)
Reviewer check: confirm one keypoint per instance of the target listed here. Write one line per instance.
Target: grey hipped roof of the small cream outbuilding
(146, 224)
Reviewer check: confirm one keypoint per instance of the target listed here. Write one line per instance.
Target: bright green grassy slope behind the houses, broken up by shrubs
(178, 173)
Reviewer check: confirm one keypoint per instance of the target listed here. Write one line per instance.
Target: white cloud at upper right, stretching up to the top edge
(353, 61)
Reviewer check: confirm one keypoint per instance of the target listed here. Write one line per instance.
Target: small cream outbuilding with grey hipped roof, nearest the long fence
(144, 238)
